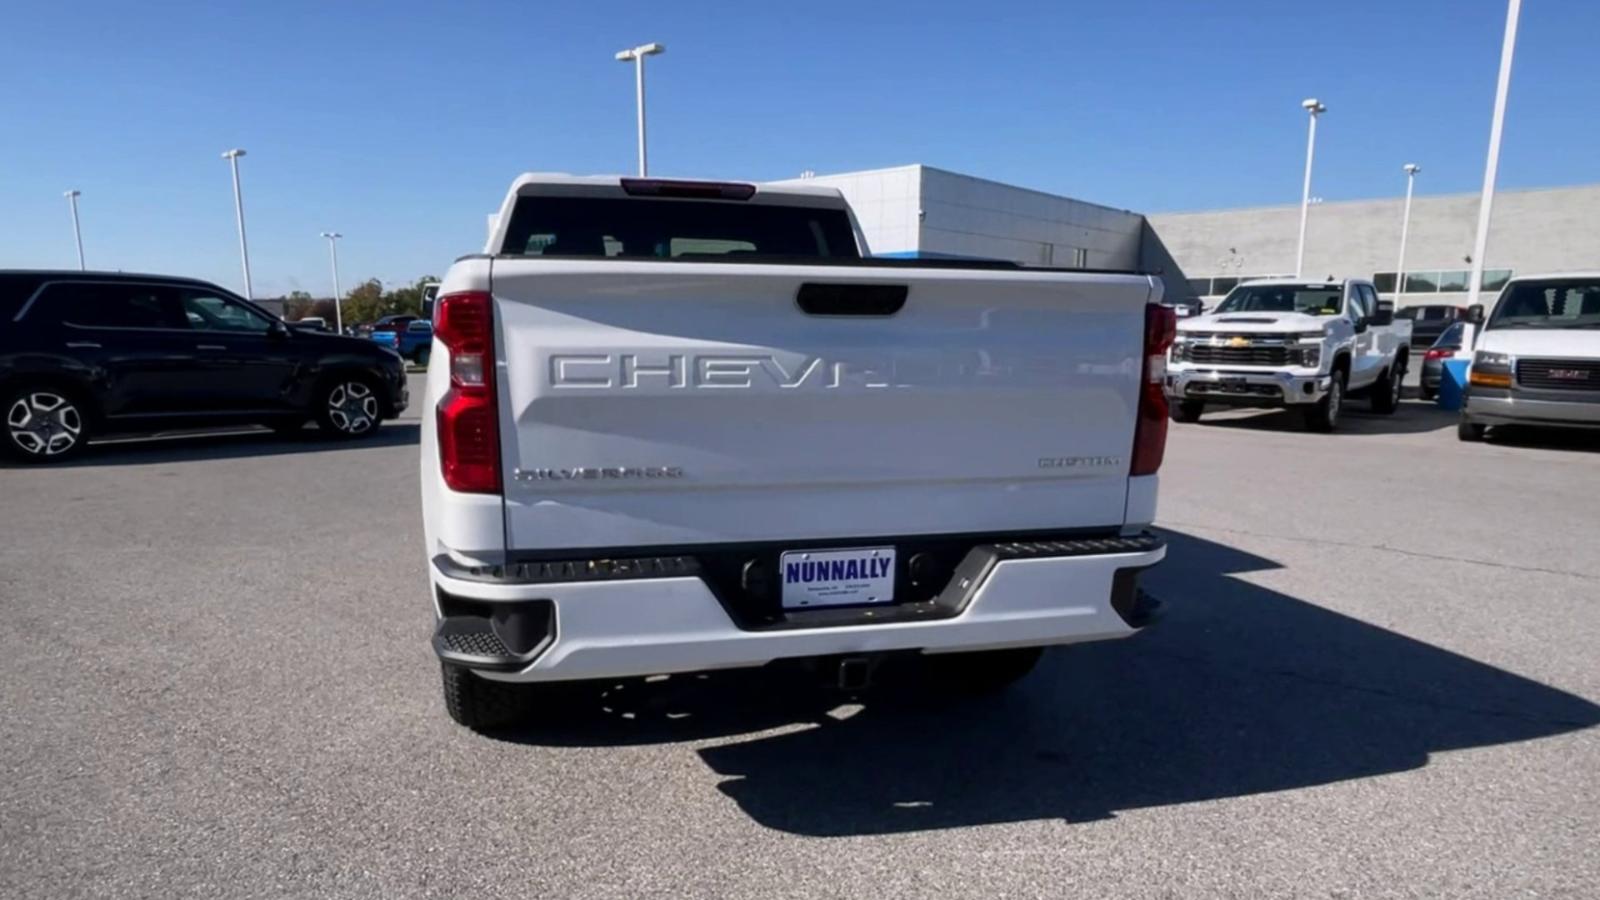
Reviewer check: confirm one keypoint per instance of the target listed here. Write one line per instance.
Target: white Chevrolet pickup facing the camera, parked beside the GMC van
(1292, 344)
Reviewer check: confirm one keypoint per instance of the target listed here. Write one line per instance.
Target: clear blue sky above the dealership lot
(401, 124)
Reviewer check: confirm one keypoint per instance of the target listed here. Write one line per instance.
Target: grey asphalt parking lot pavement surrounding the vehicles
(1377, 678)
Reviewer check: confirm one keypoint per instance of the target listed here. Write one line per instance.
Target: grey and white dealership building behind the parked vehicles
(926, 212)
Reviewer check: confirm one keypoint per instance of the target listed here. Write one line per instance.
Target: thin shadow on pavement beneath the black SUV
(234, 444)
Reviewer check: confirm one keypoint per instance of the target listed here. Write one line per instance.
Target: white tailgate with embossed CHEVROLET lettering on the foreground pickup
(671, 404)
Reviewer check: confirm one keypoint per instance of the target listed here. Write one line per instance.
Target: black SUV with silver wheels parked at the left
(94, 353)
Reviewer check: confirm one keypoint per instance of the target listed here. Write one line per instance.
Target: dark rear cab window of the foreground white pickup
(671, 230)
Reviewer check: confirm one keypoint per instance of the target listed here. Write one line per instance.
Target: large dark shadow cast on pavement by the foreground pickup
(1241, 691)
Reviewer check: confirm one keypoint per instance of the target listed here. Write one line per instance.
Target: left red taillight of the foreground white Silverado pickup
(468, 416)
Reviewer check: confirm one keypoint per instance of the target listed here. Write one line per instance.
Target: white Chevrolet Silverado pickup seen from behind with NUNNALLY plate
(674, 427)
